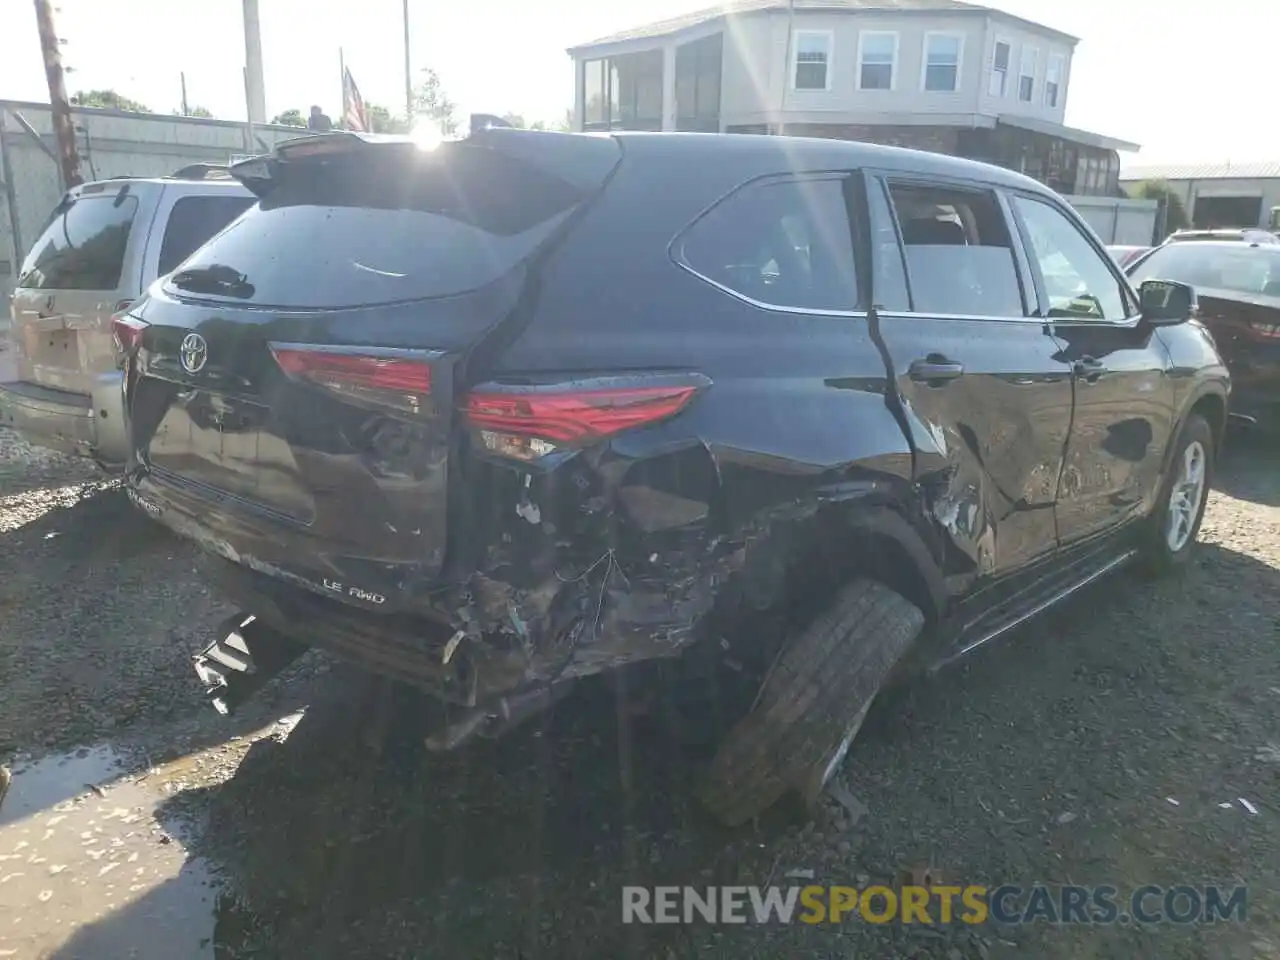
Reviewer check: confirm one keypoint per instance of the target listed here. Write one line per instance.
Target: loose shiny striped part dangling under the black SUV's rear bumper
(239, 665)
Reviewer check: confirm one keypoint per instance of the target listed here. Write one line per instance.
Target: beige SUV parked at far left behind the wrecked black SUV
(103, 246)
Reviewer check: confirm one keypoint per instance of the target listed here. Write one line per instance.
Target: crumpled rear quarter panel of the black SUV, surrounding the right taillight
(625, 548)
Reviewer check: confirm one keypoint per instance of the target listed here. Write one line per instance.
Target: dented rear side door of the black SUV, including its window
(984, 390)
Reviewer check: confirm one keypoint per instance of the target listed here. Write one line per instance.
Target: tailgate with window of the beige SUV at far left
(72, 282)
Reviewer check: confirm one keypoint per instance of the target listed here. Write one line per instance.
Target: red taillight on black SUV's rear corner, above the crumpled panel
(531, 423)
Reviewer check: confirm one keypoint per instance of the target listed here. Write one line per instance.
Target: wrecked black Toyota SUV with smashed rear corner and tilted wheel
(532, 406)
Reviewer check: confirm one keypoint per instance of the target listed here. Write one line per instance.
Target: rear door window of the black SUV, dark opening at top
(959, 257)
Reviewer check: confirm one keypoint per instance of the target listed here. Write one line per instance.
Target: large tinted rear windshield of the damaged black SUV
(382, 226)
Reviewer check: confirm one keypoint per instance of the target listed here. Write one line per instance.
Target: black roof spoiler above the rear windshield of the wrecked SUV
(583, 161)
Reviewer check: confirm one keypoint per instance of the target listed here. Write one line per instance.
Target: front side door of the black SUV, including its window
(1124, 400)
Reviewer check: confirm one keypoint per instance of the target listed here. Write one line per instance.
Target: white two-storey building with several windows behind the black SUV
(936, 75)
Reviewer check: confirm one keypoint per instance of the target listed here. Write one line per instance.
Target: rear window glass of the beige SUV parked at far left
(83, 249)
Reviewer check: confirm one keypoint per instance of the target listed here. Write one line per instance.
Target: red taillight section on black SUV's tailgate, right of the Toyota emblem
(397, 380)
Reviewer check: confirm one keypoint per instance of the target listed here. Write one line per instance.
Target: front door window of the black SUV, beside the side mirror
(1080, 284)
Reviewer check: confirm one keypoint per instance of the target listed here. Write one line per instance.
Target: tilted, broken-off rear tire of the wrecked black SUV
(812, 703)
